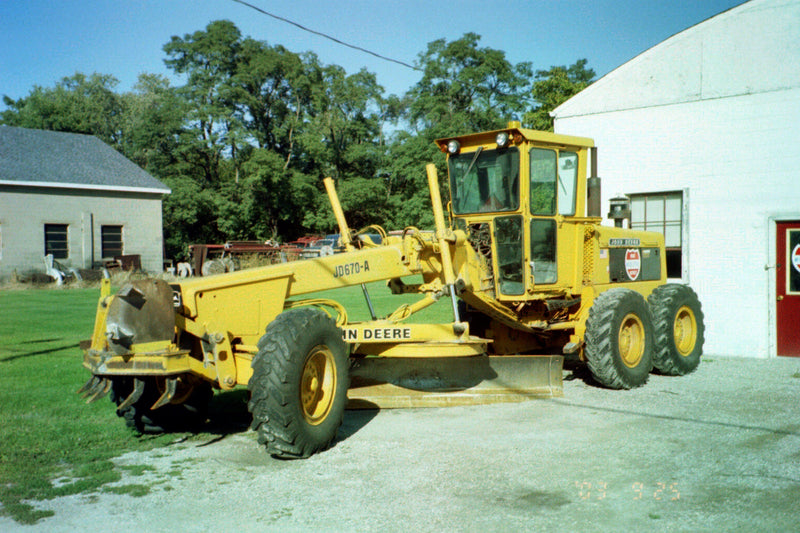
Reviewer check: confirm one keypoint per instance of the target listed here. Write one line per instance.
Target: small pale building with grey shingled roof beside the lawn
(76, 198)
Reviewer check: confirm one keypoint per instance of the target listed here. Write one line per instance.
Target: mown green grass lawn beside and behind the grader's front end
(48, 432)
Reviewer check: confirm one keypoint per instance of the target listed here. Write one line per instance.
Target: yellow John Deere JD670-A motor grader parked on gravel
(531, 274)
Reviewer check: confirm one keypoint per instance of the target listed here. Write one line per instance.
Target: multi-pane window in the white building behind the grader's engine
(663, 213)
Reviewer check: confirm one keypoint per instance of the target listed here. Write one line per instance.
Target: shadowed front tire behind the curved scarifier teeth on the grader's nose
(185, 416)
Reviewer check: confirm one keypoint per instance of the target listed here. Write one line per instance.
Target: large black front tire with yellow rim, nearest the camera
(299, 384)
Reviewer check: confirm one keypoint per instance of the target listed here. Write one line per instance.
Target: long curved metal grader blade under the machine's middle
(394, 382)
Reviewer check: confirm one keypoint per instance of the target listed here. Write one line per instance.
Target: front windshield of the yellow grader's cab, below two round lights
(484, 181)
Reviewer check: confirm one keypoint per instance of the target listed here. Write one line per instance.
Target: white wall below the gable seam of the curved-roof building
(737, 177)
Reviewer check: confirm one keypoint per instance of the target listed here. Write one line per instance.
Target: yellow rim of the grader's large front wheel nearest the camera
(318, 385)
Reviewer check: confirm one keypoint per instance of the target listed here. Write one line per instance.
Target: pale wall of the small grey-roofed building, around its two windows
(25, 210)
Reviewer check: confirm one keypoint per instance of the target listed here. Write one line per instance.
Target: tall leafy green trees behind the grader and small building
(245, 141)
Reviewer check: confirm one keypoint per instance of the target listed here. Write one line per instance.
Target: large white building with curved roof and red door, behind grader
(702, 132)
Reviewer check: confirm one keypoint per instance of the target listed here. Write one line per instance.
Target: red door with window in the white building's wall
(788, 288)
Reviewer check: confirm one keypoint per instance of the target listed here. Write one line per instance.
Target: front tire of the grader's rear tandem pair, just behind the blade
(619, 339)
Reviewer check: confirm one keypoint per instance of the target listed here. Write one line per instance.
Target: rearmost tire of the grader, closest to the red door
(679, 329)
